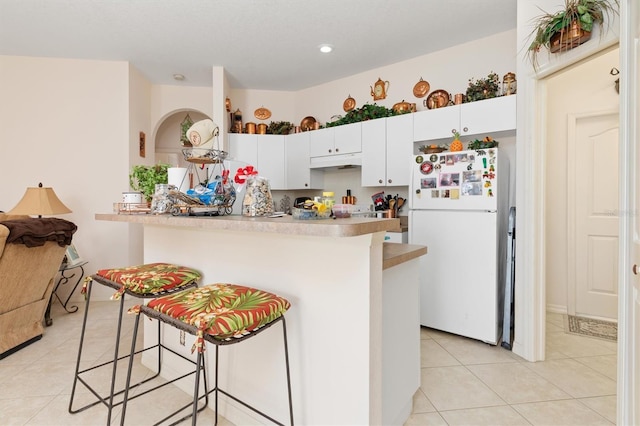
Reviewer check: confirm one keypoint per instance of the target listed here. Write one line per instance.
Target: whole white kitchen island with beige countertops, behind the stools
(353, 325)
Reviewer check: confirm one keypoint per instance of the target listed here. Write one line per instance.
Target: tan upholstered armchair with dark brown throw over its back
(31, 251)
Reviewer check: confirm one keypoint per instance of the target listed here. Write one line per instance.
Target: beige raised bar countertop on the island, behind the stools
(350, 227)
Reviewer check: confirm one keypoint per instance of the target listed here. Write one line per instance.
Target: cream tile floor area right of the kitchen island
(466, 382)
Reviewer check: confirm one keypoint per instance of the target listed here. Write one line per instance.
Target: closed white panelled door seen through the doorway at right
(593, 215)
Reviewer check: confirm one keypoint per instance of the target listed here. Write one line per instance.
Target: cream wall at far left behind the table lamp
(65, 123)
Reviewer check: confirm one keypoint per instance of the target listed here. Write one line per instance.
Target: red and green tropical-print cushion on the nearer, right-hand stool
(221, 310)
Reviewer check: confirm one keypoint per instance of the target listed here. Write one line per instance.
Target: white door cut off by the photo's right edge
(629, 309)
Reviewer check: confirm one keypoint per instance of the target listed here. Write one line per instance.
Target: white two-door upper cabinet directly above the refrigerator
(487, 116)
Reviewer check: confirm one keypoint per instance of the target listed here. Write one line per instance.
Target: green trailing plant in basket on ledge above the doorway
(569, 27)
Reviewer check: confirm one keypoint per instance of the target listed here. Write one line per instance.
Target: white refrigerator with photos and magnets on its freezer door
(458, 208)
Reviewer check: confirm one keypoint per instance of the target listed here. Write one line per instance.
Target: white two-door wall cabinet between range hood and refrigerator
(387, 146)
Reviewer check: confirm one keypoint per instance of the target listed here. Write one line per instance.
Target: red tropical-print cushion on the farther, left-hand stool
(148, 279)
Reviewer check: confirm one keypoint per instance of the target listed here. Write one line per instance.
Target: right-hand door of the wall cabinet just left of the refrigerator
(399, 149)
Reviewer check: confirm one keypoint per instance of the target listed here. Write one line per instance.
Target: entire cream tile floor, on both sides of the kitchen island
(464, 382)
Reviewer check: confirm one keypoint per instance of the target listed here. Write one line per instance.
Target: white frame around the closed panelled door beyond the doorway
(571, 203)
